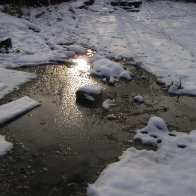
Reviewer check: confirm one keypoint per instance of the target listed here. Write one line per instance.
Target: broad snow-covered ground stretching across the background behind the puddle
(161, 37)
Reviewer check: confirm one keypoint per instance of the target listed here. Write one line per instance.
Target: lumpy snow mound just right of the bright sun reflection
(107, 68)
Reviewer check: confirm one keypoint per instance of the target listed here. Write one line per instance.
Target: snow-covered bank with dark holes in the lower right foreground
(168, 171)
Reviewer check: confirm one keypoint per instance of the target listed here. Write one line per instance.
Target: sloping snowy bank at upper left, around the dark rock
(31, 44)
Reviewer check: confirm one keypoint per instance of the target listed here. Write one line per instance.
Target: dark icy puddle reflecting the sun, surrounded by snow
(61, 146)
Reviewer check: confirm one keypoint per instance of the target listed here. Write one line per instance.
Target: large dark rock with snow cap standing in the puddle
(89, 95)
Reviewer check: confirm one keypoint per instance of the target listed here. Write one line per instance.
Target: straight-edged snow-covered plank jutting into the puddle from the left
(16, 108)
